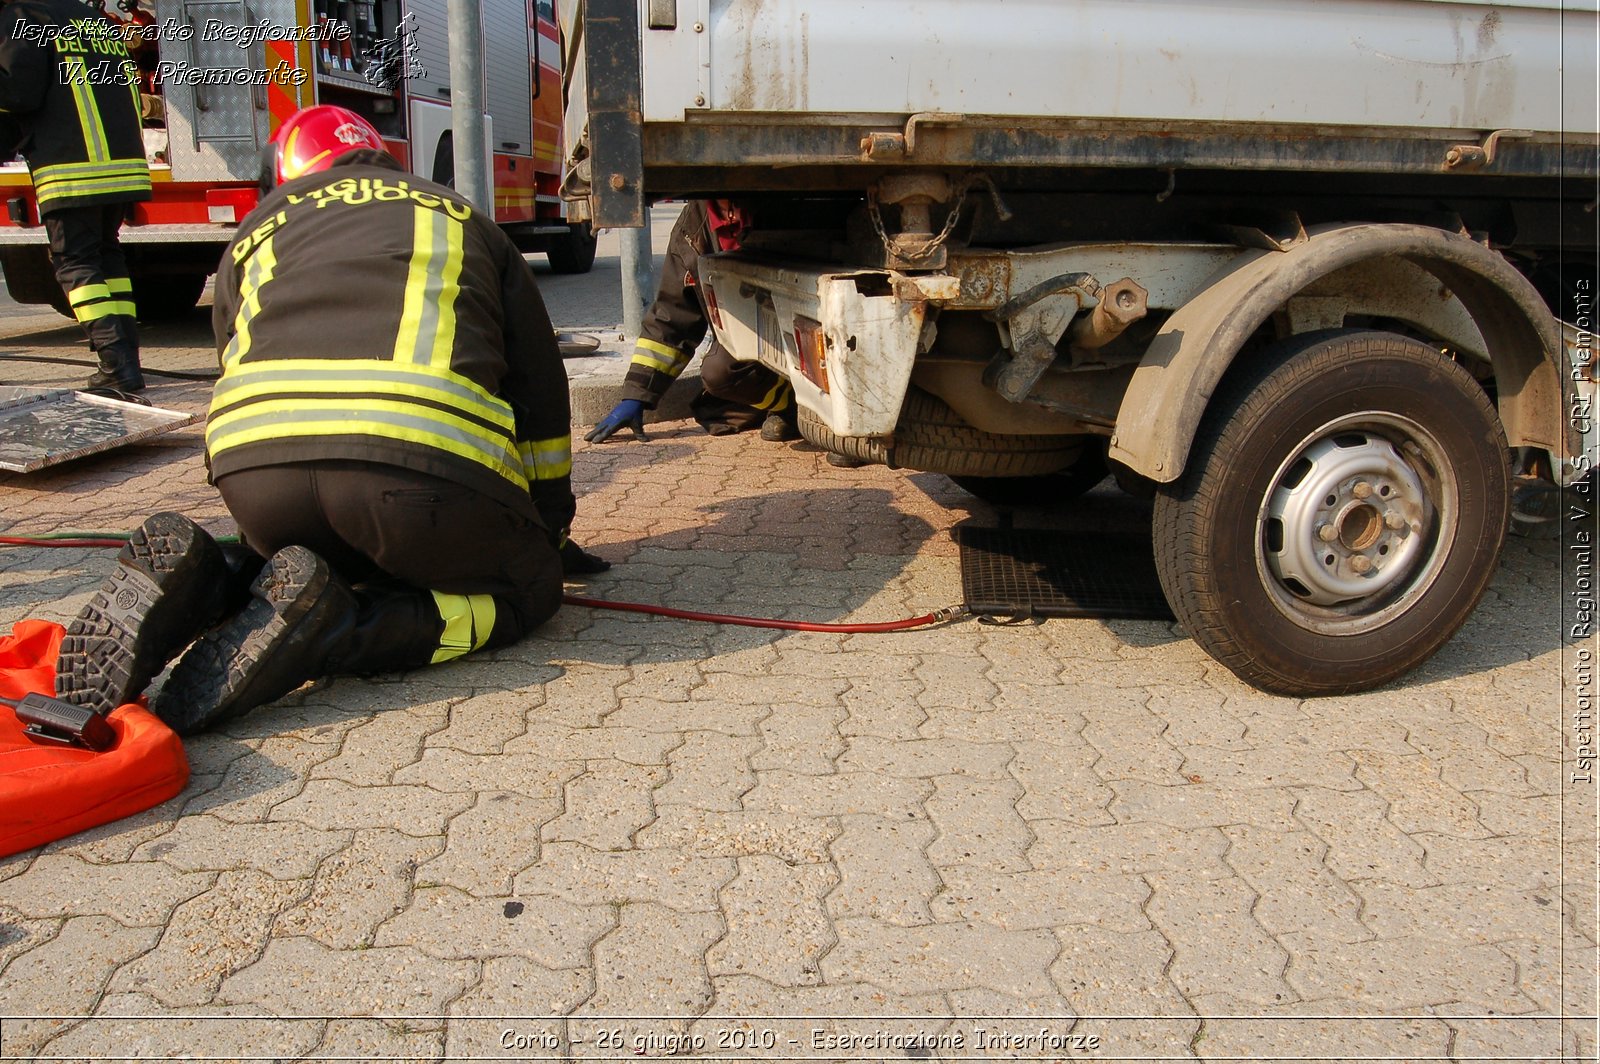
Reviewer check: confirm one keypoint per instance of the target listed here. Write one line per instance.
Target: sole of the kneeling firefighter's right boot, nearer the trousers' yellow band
(210, 682)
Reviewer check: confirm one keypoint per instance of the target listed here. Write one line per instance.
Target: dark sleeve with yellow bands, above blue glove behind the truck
(676, 322)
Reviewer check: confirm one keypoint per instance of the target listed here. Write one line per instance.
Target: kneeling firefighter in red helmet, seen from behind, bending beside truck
(391, 431)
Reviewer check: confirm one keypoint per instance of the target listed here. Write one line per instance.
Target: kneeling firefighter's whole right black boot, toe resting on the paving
(266, 650)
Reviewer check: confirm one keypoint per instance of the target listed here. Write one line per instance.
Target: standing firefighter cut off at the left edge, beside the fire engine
(73, 90)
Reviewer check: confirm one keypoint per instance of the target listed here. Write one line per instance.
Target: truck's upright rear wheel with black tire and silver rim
(1342, 513)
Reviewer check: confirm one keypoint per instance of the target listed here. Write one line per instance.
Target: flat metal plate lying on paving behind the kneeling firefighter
(42, 428)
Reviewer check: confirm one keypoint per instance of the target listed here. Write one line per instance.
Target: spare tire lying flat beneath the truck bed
(935, 439)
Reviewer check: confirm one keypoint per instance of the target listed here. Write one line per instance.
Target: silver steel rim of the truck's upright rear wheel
(1354, 521)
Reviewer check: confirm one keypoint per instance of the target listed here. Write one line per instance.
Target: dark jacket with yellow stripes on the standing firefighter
(70, 84)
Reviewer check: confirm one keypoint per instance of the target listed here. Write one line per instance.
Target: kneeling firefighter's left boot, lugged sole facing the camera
(169, 586)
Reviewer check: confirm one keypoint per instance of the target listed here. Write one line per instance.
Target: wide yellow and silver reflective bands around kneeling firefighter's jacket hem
(306, 398)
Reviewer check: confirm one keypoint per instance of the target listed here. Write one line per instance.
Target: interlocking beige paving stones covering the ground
(634, 838)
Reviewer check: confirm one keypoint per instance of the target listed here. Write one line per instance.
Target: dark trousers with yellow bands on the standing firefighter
(87, 257)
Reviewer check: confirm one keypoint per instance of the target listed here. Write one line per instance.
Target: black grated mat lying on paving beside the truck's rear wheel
(1012, 574)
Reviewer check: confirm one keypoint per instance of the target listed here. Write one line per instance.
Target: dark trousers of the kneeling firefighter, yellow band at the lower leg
(439, 570)
